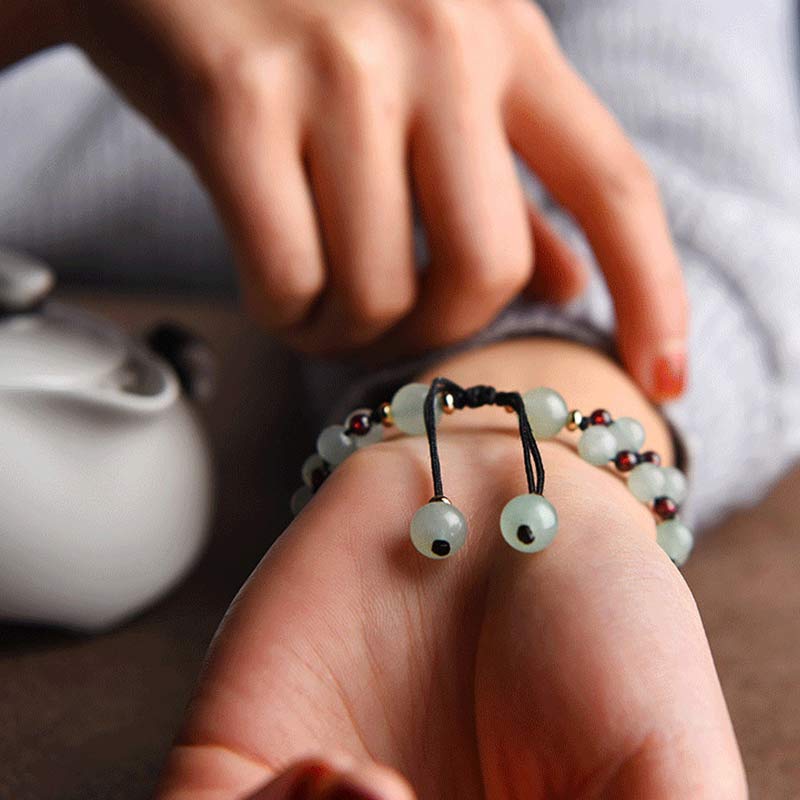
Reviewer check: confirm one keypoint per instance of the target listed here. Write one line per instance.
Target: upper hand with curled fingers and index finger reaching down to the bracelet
(305, 119)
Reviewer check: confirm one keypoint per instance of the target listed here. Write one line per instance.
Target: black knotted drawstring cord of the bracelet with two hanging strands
(475, 397)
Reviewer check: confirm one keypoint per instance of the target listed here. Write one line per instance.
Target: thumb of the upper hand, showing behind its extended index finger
(560, 275)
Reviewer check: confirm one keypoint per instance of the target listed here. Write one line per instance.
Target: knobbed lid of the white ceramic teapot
(49, 346)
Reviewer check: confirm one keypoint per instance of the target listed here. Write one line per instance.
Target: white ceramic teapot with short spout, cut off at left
(105, 479)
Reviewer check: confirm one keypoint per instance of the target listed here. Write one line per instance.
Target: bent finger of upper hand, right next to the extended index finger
(481, 252)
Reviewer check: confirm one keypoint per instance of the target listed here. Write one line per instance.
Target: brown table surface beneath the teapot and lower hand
(88, 718)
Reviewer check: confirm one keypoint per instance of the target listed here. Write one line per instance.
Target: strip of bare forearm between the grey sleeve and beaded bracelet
(586, 378)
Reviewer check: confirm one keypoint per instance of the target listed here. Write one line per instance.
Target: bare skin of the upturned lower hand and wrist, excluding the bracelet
(579, 672)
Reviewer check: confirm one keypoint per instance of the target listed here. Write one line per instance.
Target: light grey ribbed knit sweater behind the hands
(707, 89)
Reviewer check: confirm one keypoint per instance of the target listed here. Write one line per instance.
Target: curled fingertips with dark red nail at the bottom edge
(320, 780)
